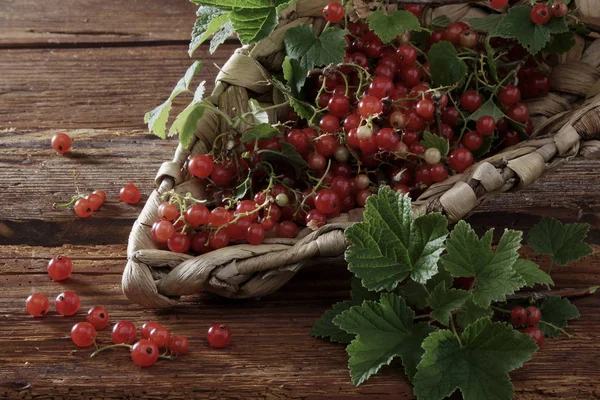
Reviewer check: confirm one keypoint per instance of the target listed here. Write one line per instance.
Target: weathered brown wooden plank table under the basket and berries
(93, 69)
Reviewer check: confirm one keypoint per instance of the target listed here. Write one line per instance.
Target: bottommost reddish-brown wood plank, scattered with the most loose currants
(271, 356)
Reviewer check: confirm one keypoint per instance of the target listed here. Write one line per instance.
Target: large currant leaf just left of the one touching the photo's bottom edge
(384, 330)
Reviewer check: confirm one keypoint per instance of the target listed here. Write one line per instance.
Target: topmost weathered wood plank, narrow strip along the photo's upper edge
(52, 22)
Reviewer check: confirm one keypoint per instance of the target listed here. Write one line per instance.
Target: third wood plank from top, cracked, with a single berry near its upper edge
(33, 177)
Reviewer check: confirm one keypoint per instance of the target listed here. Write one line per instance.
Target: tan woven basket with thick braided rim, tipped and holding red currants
(566, 122)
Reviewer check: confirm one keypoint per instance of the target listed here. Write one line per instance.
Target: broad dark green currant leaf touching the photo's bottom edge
(478, 365)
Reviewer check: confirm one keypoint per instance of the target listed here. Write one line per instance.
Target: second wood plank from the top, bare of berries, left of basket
(94, 88)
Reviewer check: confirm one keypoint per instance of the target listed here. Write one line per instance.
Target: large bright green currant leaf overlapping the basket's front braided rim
(388, 246)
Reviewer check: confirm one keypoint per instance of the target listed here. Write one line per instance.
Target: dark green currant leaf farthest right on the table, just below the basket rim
(565, 243)
